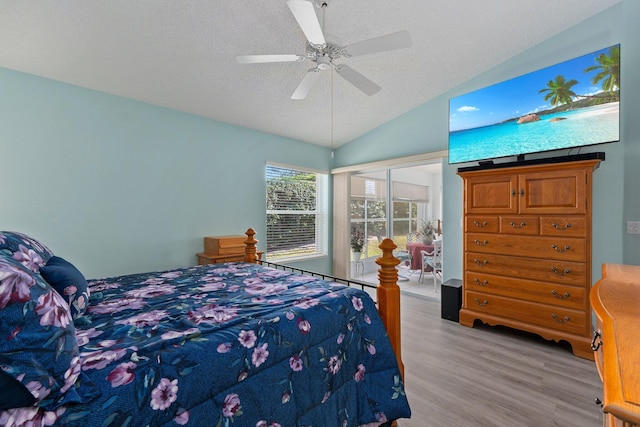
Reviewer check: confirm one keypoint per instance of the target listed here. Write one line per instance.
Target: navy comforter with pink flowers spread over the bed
(232, 344)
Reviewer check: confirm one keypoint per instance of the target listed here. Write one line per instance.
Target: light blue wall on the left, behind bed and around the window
(118, 186)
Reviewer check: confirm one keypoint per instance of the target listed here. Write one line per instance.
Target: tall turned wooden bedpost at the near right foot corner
(389, 297)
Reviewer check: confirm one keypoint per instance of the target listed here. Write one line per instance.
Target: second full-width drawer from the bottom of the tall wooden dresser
(530, 290)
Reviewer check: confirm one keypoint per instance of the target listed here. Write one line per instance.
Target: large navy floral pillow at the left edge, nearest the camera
(38, 345)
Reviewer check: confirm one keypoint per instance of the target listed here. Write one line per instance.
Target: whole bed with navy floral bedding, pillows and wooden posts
(235, 344)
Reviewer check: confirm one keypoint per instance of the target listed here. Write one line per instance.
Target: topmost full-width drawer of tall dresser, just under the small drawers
(560, 248)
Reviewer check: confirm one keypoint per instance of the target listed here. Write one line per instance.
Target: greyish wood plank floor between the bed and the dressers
(491, 376)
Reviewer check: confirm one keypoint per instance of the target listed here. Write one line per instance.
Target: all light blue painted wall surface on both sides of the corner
(119, 186)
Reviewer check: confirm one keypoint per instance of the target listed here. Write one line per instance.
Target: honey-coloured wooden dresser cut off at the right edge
(616, 342)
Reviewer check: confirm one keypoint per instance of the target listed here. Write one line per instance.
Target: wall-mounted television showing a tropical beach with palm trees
(571, 104)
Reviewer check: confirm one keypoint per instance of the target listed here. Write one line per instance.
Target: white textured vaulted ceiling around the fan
(181, 54)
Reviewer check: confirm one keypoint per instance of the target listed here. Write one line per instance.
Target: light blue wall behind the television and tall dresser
(616, 198)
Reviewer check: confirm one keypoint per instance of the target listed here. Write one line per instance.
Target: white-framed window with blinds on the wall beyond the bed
(297, 213)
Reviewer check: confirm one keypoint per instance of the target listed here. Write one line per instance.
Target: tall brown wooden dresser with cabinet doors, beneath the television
(527, 250)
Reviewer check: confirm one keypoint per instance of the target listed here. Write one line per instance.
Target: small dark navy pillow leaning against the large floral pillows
(65, 278)
